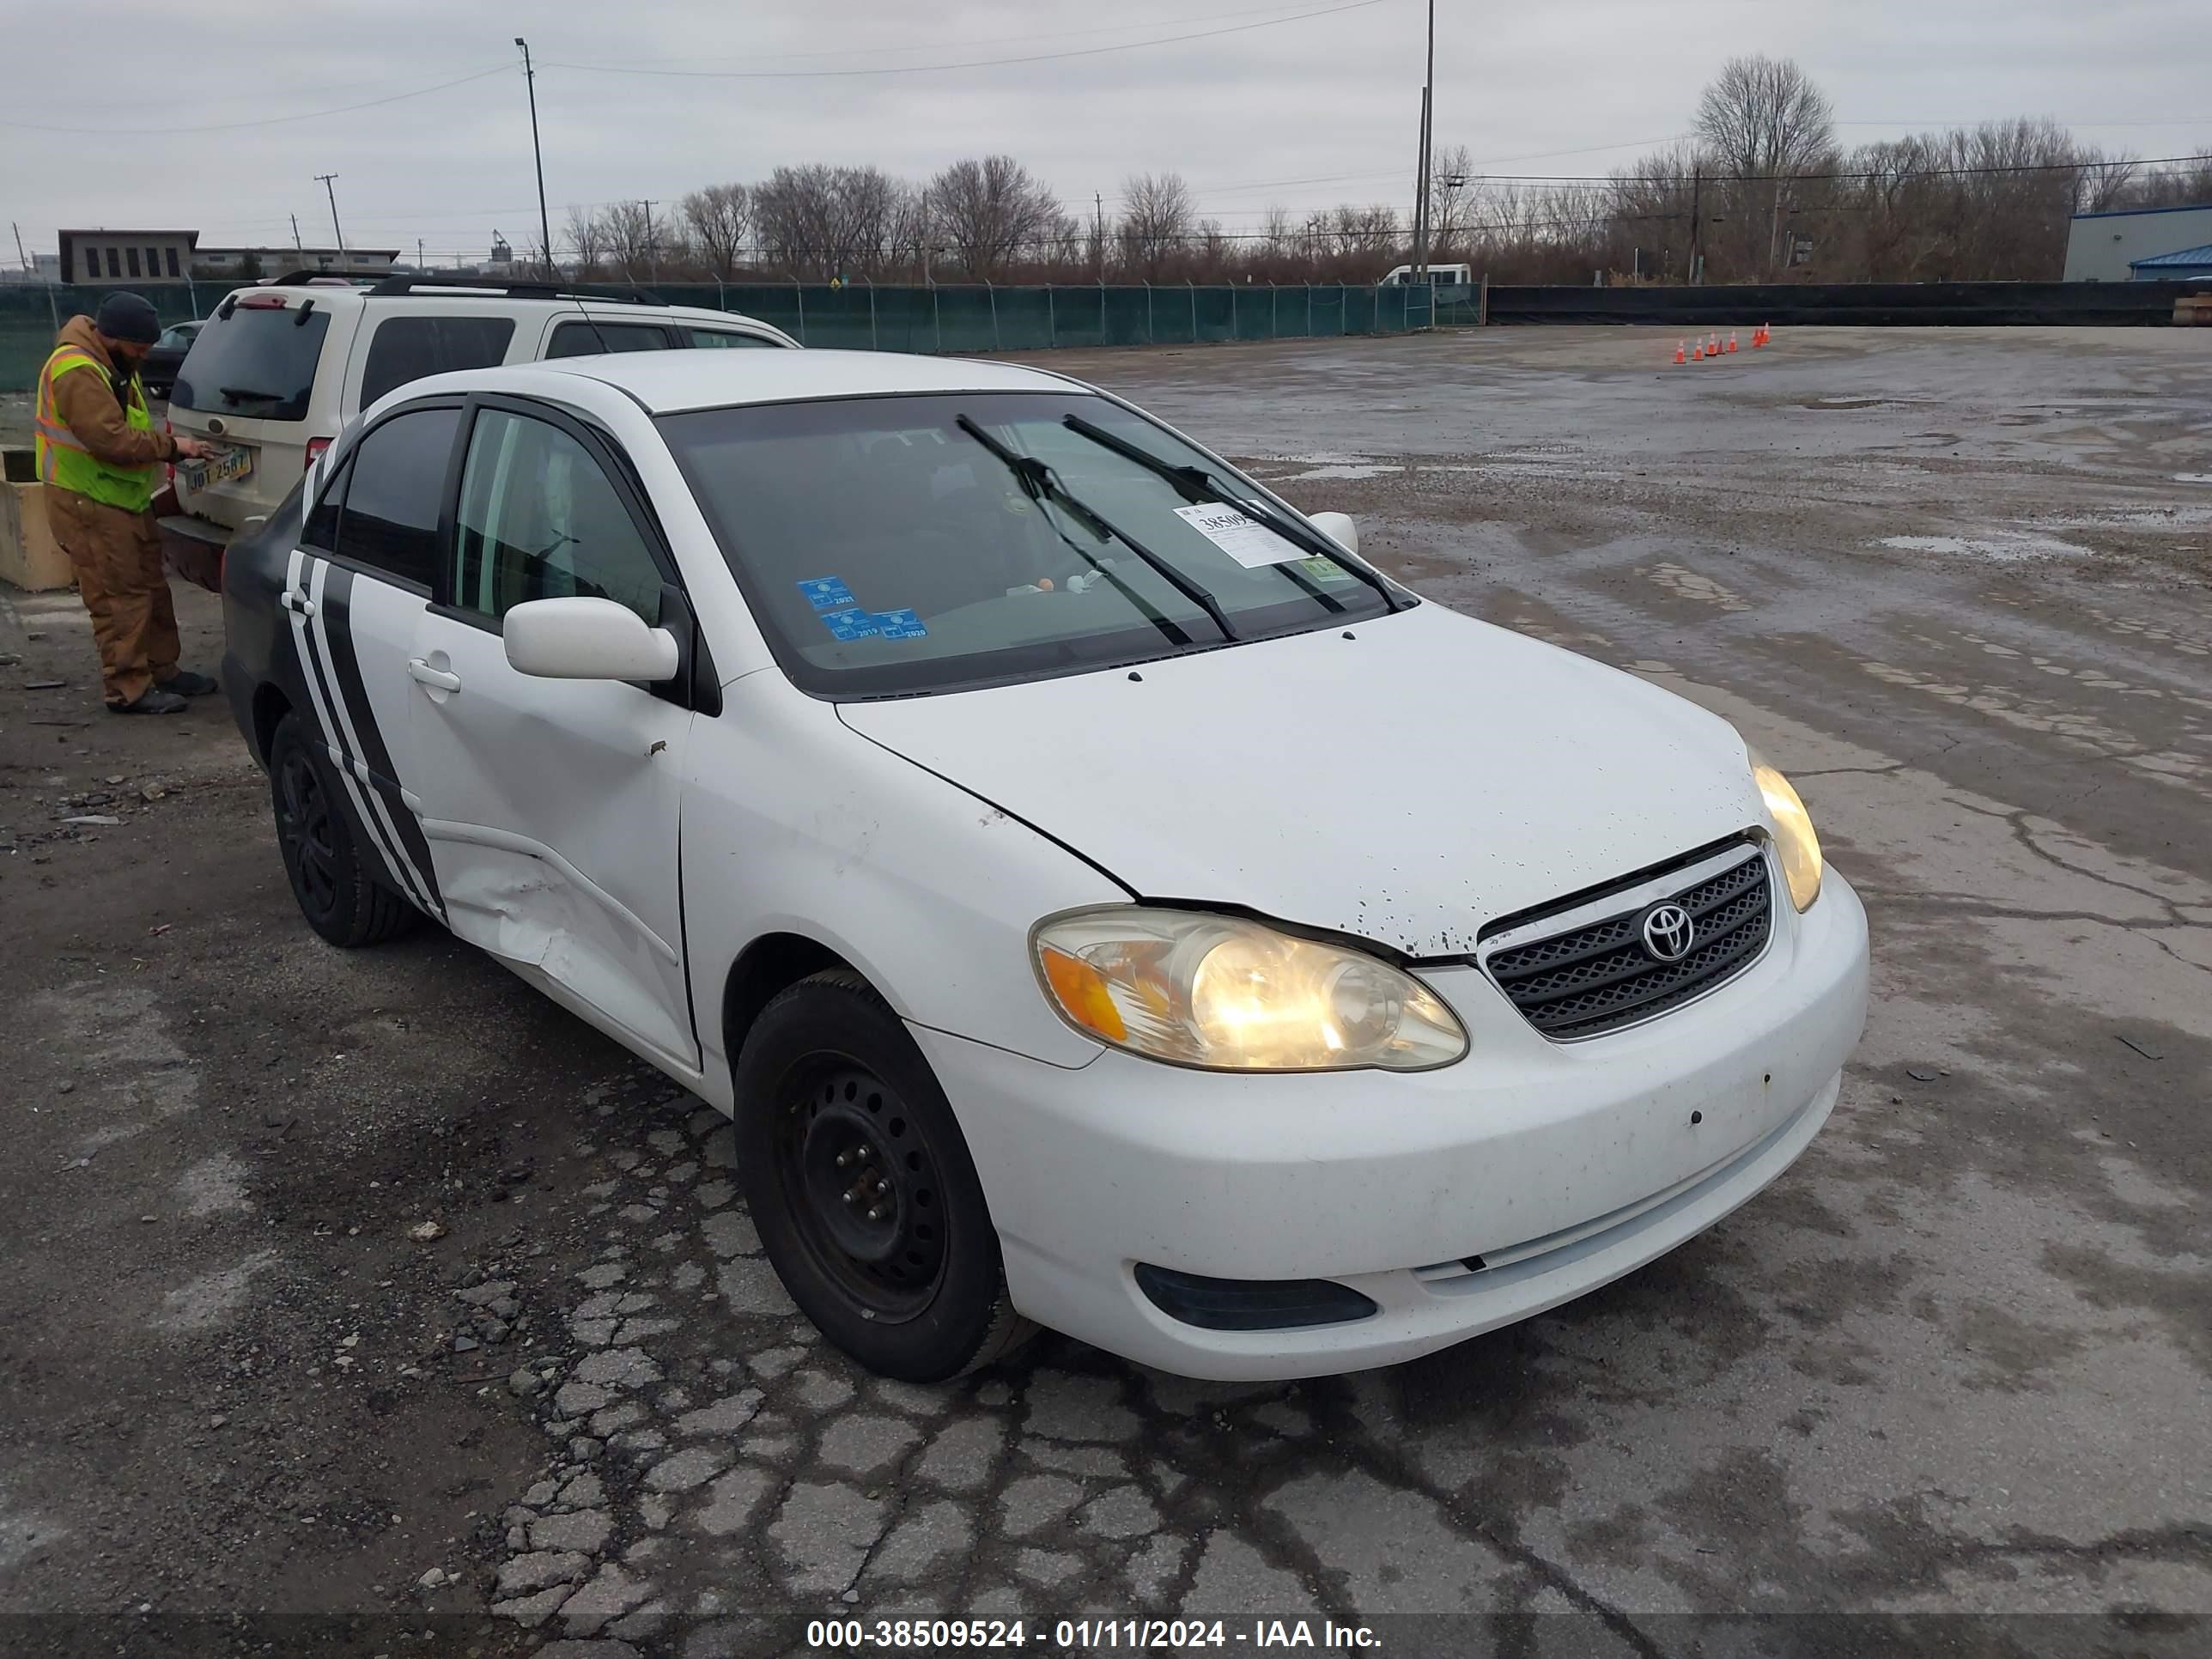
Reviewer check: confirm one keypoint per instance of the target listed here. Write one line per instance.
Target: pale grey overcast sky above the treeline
(1300, 112)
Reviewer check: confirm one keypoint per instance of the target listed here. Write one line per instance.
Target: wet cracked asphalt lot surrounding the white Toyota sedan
(373, 1304)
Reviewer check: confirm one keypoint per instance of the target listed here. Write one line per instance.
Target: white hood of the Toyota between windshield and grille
(1406, 784)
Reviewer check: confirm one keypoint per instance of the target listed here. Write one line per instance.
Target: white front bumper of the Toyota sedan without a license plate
(1561, 1165)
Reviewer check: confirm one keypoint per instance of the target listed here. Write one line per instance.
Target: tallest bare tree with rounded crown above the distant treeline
(1762, 125)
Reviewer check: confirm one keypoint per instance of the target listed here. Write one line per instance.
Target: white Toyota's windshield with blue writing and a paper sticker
(932, 543)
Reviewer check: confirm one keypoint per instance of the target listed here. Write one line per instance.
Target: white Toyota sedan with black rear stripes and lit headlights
(1096, 895)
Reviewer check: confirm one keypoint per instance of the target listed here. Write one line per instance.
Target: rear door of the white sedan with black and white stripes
(357, 589)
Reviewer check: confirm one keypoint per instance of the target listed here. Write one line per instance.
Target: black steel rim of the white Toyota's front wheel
(890, 1264)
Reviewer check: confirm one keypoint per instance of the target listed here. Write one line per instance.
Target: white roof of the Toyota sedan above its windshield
(671, 382)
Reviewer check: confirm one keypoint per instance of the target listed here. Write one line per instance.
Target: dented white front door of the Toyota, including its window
(552, 804)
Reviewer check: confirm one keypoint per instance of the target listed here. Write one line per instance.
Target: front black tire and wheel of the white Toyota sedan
(833, 1100)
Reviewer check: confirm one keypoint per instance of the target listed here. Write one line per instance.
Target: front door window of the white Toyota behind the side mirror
(543, 521)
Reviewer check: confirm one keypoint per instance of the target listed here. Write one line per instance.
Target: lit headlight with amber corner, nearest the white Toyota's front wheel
(1227, 994)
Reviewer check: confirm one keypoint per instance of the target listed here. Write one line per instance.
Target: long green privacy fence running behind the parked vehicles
(879, 317)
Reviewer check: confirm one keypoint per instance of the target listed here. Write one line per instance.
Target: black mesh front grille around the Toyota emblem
(1600, 977)
